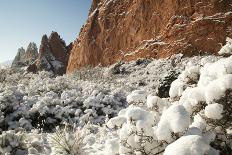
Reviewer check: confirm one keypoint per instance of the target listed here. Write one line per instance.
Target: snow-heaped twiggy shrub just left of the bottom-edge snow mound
(138, 131)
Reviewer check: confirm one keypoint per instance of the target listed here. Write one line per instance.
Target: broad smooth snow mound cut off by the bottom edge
(192, 144)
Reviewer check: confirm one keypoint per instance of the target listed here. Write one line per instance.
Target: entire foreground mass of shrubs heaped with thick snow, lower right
(196, 119)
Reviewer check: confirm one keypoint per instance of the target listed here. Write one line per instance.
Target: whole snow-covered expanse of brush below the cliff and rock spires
(123, 109)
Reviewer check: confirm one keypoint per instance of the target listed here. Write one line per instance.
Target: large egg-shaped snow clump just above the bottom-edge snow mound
(174, 119)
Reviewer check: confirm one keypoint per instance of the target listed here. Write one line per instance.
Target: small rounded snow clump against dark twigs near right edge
(214, 111)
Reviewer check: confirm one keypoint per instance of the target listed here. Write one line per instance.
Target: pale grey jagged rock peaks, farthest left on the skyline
(25, 58)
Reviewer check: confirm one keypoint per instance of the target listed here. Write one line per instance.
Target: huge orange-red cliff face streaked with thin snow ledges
(126, 30)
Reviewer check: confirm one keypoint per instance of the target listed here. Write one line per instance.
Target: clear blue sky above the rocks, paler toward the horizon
(23, 21)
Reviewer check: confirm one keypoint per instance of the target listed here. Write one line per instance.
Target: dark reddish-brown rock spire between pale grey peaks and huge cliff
(53, 55)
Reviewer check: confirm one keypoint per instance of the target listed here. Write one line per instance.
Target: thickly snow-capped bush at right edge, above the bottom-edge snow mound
(209, 101)
